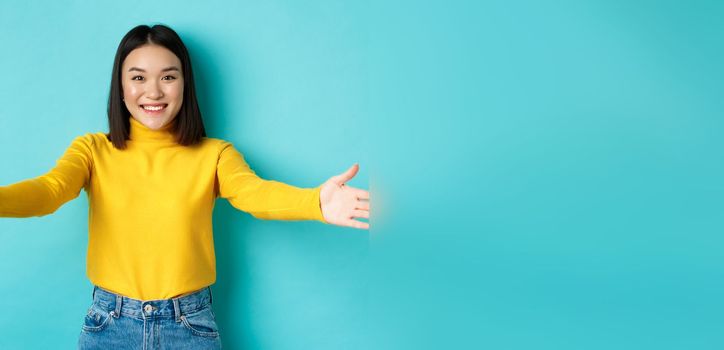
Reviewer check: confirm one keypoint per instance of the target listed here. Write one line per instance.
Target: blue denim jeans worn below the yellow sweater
(118, 322)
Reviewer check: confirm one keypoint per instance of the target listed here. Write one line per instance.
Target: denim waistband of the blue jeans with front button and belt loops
(175, 307)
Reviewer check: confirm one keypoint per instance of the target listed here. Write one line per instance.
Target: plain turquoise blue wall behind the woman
(544, 176)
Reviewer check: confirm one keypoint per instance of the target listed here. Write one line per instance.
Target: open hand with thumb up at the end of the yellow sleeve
(341, 204)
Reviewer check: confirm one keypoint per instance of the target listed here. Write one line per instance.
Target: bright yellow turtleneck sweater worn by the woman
(150, 233)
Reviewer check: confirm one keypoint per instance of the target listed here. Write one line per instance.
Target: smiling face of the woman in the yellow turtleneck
(153, 85)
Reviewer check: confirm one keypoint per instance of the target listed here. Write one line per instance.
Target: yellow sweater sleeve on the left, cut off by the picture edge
(45, 194)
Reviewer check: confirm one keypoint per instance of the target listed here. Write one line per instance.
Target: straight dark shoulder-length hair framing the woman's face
(188, 126)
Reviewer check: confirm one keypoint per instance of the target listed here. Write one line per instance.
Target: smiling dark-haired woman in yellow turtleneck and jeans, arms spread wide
(151, 183)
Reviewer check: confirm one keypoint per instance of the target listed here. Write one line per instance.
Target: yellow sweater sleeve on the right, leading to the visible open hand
(261, 198)
